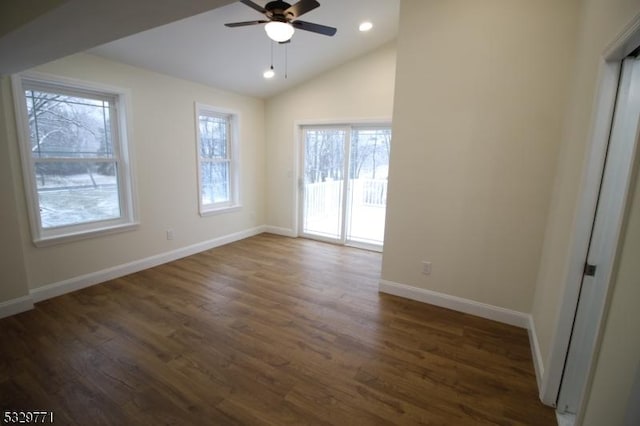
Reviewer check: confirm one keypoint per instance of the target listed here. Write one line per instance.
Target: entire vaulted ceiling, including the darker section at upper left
(188, 39)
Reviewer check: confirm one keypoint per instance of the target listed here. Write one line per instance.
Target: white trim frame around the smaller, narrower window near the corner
(234, 204)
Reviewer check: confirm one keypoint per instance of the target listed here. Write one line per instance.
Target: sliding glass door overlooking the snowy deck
(344, 183)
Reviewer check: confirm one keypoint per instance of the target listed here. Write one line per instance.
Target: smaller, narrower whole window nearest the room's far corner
(216, 159)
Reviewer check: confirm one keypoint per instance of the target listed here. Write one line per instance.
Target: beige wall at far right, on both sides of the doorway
(602, 21)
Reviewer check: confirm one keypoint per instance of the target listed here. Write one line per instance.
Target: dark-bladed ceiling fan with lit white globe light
(282, 19)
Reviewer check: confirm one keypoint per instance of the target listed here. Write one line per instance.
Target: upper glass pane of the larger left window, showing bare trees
(68, 126)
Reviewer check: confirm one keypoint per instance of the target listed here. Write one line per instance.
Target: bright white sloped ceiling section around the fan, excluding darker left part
(202, 49)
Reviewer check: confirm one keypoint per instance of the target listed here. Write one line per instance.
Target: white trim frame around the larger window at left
(128, 196)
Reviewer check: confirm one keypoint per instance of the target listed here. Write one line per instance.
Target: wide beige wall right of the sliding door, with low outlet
(480, 93)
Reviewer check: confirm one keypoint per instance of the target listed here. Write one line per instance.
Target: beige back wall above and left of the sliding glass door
(360, 89)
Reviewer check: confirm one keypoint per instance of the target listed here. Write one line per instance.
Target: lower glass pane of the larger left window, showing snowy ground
(71, 193)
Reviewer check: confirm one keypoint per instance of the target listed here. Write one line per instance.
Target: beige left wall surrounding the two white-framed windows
(163, 141)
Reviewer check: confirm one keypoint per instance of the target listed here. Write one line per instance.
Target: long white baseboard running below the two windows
(83, 281)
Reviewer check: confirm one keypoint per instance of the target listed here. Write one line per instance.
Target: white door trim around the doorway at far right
(601, 123)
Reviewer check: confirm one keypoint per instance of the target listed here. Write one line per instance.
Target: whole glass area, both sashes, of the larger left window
(72, 150)
